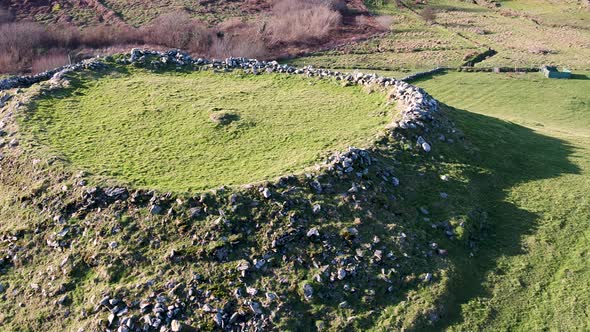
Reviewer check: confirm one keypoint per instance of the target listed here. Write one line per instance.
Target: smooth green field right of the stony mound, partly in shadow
(530, 272)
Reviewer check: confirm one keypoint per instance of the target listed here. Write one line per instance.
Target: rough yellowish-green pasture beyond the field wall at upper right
(462, 28)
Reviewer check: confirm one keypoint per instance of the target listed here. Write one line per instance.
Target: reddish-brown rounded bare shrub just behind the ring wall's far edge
(178, 30)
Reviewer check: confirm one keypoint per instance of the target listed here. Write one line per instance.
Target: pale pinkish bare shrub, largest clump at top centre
(294, 21)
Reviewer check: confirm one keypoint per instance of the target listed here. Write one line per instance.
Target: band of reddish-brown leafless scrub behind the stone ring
(288, 27)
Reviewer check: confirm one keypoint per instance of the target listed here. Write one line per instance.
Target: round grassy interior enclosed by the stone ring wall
(157, 130)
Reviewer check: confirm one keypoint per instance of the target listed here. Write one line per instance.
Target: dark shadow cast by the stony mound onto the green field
(512, 155)
